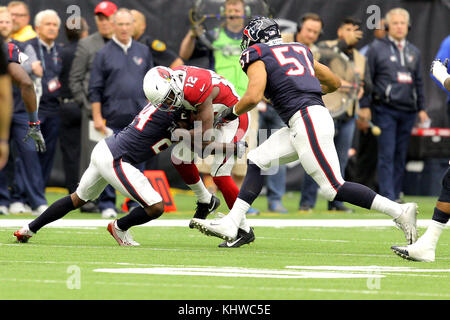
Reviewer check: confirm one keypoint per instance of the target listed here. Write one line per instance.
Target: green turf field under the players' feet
(286, 263)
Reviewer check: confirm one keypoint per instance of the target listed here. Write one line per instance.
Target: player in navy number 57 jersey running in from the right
(287, 74)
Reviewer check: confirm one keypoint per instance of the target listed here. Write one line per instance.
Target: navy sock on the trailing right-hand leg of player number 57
(356, 194)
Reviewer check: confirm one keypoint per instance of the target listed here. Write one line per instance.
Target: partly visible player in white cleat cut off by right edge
(425, 248)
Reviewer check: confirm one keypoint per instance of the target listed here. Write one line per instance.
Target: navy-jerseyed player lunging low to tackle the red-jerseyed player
(113, 162)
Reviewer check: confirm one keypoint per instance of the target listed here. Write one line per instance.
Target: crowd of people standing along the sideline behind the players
(92, 85)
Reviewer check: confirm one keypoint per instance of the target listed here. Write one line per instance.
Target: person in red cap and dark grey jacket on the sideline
(79, 79)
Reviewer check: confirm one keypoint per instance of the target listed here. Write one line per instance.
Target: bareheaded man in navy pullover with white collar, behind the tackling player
(115, 86)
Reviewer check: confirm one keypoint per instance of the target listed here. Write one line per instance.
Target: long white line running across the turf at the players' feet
(277, 223)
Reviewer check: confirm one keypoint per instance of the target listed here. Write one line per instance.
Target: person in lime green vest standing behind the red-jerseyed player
(222, 46)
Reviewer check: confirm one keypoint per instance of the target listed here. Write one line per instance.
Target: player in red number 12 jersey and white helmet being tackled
(206, 94)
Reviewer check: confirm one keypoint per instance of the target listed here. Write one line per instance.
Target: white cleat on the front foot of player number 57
(221, 228)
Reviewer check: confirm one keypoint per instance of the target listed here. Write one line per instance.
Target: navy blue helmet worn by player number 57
(259, 30)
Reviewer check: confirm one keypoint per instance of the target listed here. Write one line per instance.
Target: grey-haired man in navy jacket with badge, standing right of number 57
(395, 69)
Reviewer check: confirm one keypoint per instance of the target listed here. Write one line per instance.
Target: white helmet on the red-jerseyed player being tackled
(163, 88)
